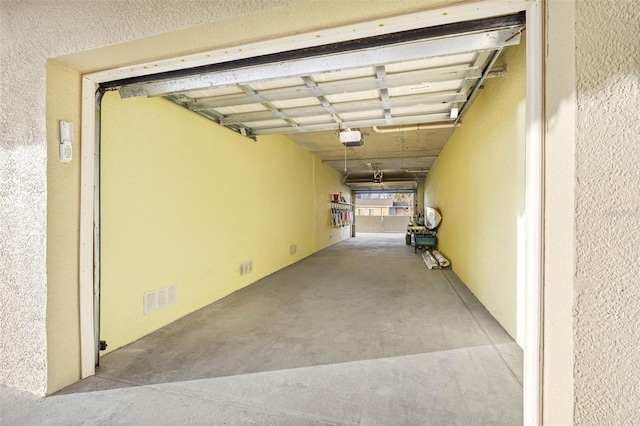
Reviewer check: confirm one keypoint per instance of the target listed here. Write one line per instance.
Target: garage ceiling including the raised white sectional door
(402, 96)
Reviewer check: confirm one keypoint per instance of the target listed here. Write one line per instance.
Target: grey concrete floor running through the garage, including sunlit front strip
(361, 333)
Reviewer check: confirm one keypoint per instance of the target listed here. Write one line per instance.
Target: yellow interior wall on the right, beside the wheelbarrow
(477, 183)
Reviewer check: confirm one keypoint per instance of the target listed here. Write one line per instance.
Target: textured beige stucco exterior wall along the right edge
(607, 287)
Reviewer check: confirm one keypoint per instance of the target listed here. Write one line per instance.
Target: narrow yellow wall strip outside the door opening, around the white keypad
(63, 221)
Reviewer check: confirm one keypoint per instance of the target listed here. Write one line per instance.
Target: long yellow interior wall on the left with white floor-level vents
(185, 201)
